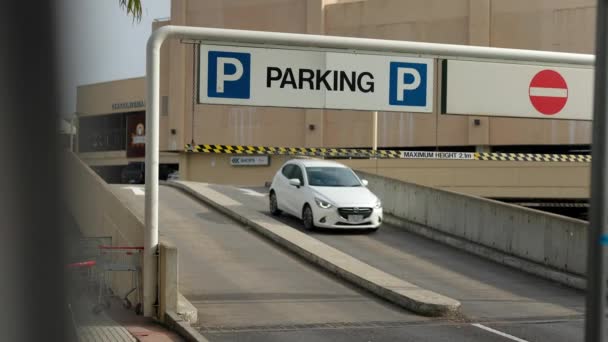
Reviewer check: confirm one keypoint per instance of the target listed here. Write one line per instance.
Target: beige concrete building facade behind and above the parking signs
(556, 25)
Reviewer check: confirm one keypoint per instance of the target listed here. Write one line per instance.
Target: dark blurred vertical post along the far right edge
(596, 278)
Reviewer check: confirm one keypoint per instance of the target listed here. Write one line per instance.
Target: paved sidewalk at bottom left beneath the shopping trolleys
(117, 325)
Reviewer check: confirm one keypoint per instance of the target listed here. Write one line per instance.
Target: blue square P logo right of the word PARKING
(407, 84)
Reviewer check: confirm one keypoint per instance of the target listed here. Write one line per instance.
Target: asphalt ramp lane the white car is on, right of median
(502, 298)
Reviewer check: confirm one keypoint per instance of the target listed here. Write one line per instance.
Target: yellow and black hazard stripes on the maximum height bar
(363, 153)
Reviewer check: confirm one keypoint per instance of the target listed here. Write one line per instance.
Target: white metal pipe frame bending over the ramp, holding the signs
(350, 45)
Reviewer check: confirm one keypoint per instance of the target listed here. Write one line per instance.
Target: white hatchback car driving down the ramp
(324, 194)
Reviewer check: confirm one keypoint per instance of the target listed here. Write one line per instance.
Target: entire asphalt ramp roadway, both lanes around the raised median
(248, 289)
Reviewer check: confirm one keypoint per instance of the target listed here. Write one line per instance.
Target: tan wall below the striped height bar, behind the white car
(495, 179)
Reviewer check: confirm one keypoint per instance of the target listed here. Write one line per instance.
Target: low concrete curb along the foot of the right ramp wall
(542, 271)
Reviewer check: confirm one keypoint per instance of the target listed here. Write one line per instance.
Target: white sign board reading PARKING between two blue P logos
(314, 79)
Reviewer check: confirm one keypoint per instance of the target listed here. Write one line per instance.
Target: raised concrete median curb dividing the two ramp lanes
(382, 284)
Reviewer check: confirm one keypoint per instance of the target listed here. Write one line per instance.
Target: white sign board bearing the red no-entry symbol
(516, 90)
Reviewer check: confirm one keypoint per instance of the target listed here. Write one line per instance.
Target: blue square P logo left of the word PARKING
(229, 75)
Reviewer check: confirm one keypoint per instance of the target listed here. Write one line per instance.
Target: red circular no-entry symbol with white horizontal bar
(548, 92)
